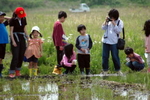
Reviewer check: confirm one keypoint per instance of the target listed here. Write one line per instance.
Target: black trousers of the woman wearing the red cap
(17, 53)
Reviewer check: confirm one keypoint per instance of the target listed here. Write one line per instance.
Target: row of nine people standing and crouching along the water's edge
(66, 56)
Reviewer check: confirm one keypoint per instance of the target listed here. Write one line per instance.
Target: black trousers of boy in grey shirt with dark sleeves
(83, 61)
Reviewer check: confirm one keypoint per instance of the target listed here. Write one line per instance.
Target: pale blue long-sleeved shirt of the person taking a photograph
(112, 32)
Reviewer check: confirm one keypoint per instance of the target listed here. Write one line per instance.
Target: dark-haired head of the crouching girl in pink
(68, 50)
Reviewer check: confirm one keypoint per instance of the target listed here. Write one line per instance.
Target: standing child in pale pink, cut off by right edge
(147, 41)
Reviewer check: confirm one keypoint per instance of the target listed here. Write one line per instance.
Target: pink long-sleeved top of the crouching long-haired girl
(68, 62)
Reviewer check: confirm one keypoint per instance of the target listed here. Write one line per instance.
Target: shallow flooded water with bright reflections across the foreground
(67, 89)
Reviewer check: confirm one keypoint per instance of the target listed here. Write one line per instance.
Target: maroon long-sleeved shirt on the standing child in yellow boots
(57, 34)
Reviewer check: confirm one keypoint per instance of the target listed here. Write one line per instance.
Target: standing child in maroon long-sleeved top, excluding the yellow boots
(58, 34)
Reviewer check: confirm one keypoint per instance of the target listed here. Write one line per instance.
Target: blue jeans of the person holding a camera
(107, 48)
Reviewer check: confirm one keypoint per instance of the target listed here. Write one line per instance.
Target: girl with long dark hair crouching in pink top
(69, 59)
